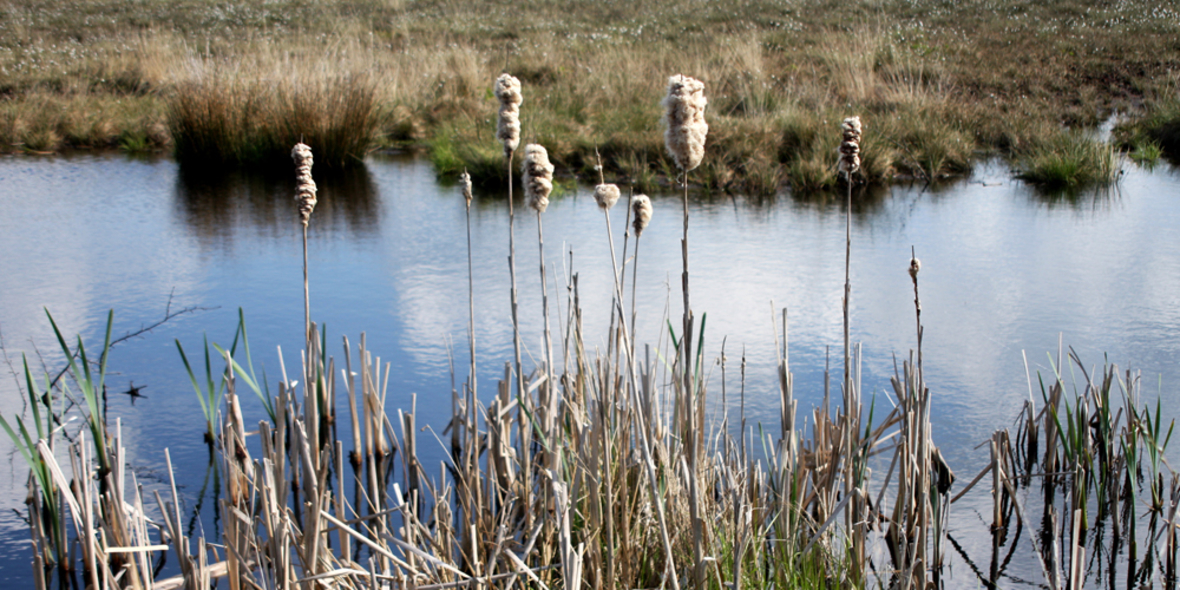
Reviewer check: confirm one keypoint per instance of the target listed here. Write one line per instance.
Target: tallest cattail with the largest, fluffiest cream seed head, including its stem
(685, 139)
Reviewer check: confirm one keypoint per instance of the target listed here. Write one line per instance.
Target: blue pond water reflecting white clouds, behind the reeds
(1006, 271)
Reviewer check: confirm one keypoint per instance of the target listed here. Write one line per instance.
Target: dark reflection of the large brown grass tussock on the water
(218, 206)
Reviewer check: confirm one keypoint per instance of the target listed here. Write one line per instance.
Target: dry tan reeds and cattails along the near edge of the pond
(594, 469)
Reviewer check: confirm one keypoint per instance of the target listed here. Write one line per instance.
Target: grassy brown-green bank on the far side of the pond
(935, 83)
